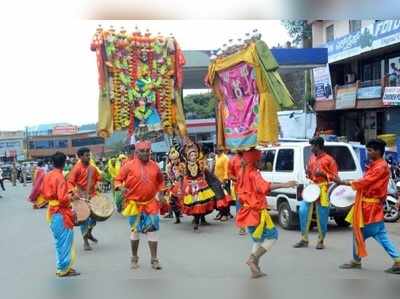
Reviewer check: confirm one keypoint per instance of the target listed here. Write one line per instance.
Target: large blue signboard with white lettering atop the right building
(377, 35)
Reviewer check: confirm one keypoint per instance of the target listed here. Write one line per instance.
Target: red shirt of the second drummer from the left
(78, 177)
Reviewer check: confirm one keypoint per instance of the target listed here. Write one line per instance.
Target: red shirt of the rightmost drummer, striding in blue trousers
(373, 184)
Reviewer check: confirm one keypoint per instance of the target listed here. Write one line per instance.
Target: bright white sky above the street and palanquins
(49, 75)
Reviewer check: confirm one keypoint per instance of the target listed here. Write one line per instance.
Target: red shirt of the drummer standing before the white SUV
(323, 163)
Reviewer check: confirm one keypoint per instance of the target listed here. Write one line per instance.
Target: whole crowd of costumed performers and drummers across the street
(194, 185)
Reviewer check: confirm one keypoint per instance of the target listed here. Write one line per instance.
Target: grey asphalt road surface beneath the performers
(207, 264)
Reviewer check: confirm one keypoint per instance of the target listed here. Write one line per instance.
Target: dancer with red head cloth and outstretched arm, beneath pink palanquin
(253, 214)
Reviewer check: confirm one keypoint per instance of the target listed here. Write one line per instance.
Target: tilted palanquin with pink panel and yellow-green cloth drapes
(250, 92)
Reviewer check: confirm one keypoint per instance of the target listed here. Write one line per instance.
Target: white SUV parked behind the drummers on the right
(288, 162)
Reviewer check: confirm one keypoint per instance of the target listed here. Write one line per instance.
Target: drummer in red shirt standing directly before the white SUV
(321, 170)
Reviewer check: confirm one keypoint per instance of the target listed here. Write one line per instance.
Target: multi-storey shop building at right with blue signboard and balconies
(364, 67)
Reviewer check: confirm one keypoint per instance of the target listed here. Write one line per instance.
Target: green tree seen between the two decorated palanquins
(198, 106)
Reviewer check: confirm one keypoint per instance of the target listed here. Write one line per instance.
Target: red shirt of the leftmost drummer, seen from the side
(55, 188)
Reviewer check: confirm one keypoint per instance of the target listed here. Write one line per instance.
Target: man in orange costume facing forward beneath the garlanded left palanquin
(140, 180)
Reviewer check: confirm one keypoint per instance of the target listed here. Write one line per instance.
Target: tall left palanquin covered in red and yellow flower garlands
(140, 82)
